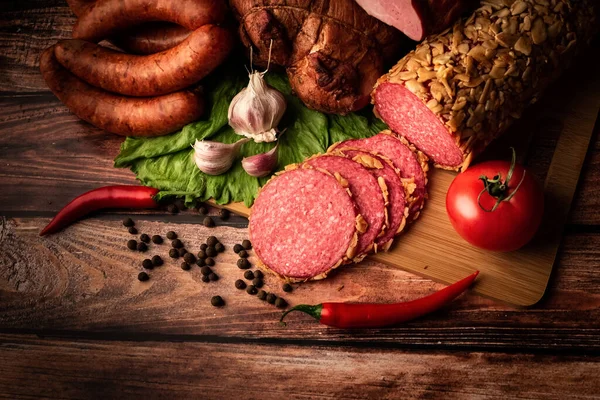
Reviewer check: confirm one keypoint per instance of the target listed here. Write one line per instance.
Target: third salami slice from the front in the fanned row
(396, 208)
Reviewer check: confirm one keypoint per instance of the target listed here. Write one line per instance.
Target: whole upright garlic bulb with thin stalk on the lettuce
(256, 111)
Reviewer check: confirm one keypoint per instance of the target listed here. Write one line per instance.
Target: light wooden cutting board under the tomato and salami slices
(431, 248)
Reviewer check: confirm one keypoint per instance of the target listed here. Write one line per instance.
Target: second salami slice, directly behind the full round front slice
(368, 192)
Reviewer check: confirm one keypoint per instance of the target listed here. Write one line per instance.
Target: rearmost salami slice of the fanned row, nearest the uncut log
(411, 163)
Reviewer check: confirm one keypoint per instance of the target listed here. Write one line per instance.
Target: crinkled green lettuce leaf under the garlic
(166, 162)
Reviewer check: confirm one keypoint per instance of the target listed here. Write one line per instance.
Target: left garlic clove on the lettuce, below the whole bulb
(215, 158)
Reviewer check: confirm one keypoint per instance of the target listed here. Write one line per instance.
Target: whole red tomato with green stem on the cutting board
(514, 221)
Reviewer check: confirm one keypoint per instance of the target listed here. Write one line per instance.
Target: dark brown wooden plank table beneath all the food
(76, 323)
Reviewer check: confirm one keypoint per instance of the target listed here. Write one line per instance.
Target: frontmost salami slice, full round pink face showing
(304, 223)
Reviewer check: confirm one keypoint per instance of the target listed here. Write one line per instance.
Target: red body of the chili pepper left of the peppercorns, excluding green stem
(121, 196)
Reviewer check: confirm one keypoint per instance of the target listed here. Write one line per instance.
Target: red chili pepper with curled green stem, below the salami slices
(373, 315)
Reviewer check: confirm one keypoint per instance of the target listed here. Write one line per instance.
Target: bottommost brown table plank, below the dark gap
(33, 367)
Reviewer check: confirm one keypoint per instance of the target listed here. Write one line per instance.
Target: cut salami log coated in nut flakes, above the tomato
(460, 89)
